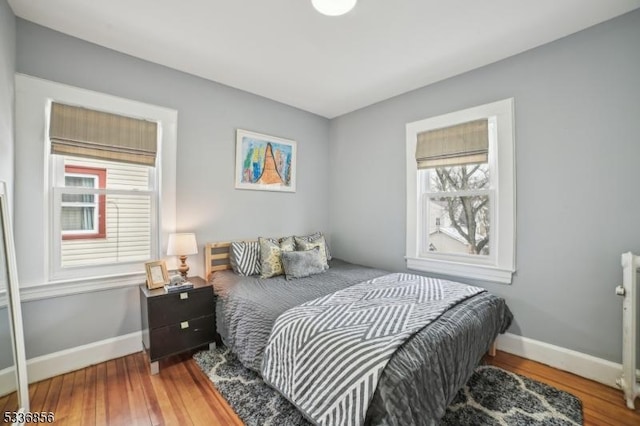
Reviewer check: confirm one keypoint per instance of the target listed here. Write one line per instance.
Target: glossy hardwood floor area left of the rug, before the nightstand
(123, 392)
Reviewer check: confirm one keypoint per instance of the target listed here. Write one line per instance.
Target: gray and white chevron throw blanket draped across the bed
(326, 355)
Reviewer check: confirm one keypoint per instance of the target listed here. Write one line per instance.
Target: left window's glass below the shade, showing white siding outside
(122, 213)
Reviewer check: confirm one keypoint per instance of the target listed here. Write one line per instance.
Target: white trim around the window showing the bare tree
(501, 265)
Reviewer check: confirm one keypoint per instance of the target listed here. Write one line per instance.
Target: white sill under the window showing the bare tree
(462, 270)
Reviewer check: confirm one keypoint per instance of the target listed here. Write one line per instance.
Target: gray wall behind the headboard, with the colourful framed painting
(208, 115)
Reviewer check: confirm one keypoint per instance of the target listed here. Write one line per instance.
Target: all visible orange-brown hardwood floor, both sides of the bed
(123, 392)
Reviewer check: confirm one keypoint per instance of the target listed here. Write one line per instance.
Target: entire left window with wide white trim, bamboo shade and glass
(143, 194)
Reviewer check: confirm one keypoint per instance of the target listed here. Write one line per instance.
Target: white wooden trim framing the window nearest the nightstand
(33, 99)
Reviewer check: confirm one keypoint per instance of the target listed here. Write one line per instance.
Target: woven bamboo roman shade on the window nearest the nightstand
(83, 132)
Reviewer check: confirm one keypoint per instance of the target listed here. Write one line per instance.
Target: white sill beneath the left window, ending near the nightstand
(78, 286)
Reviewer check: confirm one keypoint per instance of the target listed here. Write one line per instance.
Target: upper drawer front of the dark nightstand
(176, 307)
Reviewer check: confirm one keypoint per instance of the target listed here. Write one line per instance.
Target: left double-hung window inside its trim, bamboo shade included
(104, 197)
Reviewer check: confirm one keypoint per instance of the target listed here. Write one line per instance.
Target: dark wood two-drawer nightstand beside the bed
(177, 322)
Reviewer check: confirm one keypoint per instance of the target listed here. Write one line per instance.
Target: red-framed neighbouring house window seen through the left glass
(83, 215)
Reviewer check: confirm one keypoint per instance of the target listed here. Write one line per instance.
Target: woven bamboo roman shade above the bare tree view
(464, 143)
